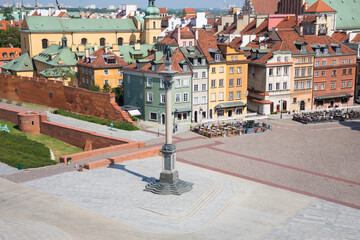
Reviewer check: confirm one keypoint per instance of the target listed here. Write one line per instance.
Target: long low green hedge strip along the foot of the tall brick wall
(106, 122)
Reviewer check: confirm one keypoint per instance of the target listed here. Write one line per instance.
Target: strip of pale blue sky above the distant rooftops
(143, 3)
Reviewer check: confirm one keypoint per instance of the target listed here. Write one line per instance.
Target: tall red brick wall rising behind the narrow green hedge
(54, 94)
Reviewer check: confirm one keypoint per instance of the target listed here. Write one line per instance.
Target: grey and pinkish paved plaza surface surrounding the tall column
(294, 182)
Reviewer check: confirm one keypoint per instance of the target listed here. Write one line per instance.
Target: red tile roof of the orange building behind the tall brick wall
(99, 61)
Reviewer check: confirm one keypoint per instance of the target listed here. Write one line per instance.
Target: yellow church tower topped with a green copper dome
(152, 22)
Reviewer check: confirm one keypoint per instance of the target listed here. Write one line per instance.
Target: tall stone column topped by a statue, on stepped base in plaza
(169, 182)
